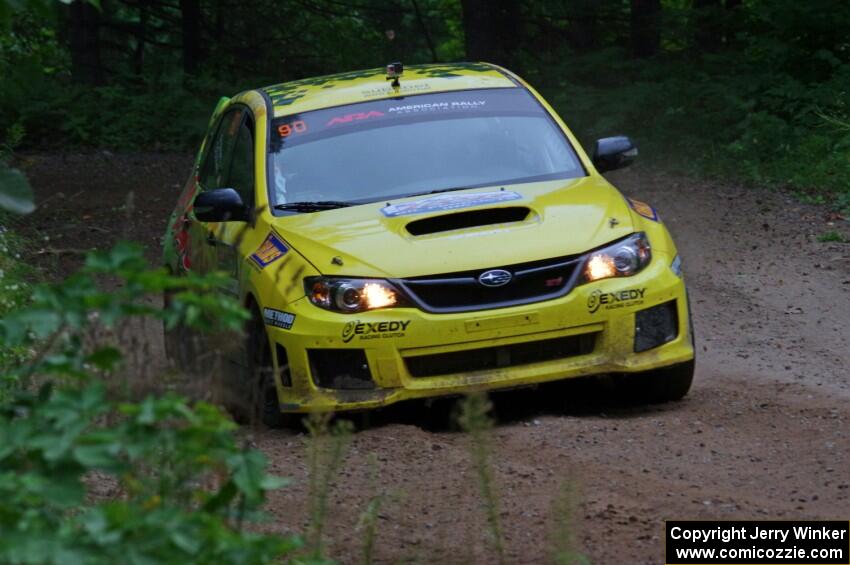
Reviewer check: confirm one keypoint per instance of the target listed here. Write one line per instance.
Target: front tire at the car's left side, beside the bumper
(262, 391)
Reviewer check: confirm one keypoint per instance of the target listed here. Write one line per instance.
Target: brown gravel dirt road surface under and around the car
(764, 432)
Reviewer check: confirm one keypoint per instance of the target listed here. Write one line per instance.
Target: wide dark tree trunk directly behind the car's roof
(492, 29)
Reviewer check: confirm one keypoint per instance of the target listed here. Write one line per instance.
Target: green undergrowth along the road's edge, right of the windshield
(736, 119)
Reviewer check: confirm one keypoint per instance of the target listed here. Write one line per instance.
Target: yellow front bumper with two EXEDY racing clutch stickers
(589, 331)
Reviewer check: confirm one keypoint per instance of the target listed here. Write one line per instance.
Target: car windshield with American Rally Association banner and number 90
(415, 145)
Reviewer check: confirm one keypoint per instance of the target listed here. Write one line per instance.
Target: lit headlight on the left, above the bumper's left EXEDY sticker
(350, 296)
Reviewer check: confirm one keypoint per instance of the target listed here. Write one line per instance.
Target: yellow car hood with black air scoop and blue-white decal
(563, 217)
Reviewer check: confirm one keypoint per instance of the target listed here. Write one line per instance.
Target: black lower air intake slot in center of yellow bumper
(498, 357)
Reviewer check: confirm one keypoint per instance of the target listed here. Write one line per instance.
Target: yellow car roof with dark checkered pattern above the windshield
(362, 86)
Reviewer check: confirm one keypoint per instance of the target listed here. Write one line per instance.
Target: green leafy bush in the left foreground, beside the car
(88, 479)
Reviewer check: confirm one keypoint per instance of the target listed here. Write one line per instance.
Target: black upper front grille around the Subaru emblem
(461, 292)
